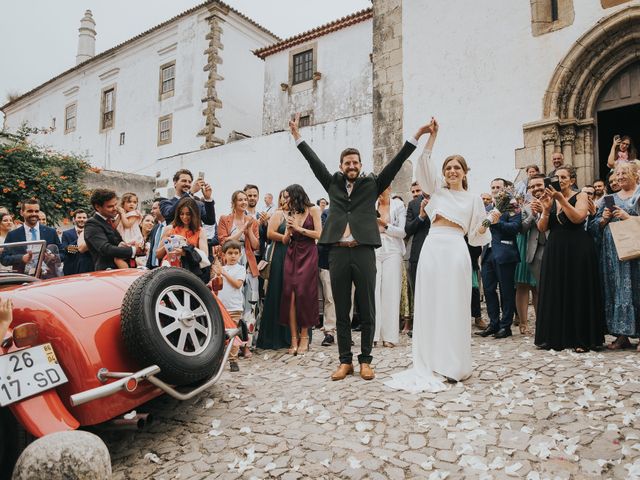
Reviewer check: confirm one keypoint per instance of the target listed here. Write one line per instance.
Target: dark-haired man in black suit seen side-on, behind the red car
(100, 233)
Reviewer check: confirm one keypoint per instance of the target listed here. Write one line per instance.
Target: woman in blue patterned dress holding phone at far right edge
(621, 279)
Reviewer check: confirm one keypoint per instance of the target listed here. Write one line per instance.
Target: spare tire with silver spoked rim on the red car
(170, 318)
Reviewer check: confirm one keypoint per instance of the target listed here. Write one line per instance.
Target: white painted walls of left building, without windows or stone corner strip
(137, 105)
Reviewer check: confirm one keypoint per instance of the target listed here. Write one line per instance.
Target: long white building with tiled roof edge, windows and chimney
(187, 83)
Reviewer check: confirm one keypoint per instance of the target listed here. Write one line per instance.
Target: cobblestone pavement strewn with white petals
(525, 413)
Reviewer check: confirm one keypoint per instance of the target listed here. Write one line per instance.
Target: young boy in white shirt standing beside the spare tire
(233, 276)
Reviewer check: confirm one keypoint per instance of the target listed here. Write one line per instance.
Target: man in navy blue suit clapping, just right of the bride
(499, 261)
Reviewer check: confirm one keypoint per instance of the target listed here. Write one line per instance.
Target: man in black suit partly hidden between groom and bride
(417, 228)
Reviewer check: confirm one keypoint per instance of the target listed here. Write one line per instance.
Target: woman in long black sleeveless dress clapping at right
(570, 308)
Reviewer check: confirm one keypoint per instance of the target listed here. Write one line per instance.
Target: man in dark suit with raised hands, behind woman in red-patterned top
(185, 187)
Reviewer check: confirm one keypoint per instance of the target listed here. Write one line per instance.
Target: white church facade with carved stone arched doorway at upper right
(523, 77)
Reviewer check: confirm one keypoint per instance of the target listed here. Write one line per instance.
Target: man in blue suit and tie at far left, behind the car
(31, 229)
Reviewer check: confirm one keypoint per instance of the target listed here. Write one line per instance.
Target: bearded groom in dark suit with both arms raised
(353, 230)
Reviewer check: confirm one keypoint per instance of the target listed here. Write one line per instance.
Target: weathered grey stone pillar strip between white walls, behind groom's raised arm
(388, 88)
